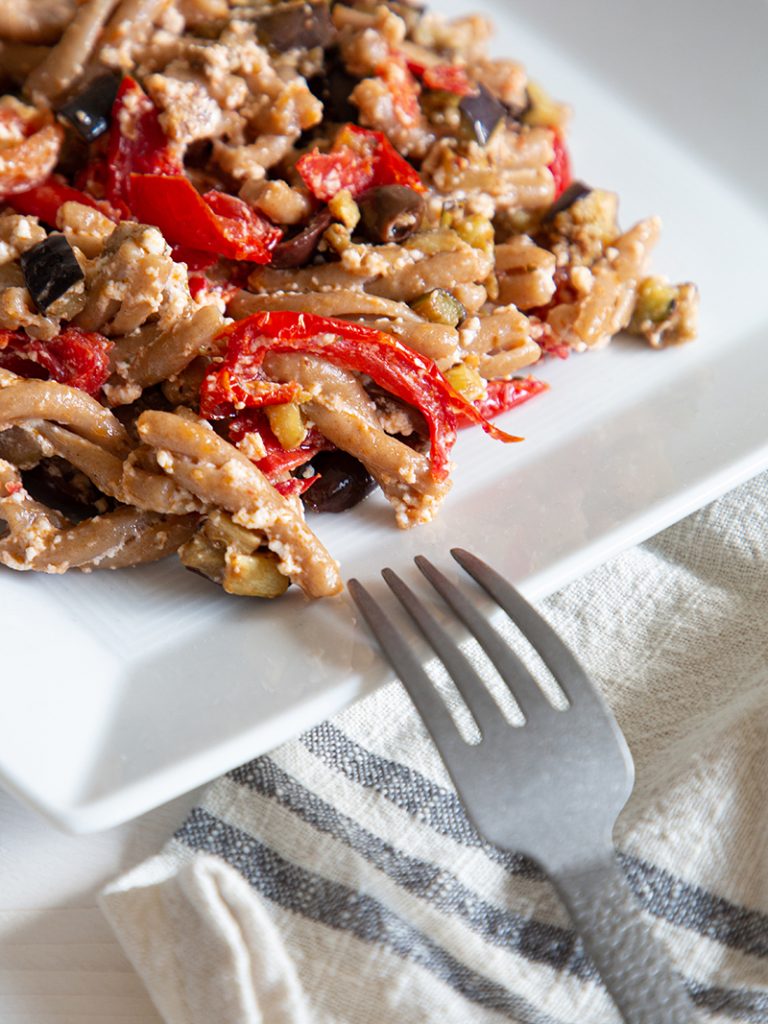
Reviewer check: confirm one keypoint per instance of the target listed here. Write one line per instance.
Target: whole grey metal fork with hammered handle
(551, 789)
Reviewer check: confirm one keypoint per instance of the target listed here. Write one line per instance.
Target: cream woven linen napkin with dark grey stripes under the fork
(338, 880)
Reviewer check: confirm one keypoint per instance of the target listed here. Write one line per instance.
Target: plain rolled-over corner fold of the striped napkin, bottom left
(204, 945)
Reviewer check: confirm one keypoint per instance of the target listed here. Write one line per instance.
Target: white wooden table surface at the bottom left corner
(60, 962)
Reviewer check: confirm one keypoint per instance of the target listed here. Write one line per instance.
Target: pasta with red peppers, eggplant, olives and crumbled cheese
(259, 259)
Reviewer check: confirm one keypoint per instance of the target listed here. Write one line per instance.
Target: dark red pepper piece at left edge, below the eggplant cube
(80, 359)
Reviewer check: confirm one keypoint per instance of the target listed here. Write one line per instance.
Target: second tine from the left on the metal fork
(477, 696)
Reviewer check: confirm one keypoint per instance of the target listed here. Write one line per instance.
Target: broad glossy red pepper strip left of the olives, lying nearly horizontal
(215, 223)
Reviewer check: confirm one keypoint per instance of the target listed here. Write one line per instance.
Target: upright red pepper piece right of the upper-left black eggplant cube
(137, 144)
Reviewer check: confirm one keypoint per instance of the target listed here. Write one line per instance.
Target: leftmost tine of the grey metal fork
(420, 688)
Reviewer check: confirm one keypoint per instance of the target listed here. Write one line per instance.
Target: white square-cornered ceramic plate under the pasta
(121, 691)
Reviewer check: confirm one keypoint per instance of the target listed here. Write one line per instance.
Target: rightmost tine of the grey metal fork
(569, 673)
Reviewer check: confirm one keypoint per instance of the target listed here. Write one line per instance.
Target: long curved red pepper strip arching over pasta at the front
(395, 367)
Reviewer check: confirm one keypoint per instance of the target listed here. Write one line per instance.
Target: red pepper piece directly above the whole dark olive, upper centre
(360, 160)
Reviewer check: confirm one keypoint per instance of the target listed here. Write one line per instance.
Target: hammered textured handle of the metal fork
(634, 967)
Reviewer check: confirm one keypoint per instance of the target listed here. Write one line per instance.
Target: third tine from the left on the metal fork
(524, 688)
